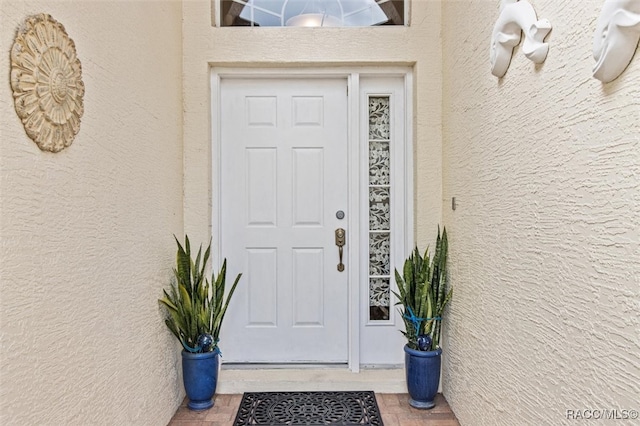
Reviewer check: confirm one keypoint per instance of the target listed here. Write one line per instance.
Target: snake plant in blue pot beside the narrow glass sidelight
(423, 296)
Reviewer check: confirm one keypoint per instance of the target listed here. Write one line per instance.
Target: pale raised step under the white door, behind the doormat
(330, 377)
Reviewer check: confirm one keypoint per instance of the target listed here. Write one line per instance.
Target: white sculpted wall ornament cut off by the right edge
(616, 38)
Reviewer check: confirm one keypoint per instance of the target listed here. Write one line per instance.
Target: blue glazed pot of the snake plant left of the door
(200, 377)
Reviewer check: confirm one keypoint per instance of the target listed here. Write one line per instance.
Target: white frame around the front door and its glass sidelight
(354, 161)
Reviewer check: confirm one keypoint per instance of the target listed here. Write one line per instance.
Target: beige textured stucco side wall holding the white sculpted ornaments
(545, 241)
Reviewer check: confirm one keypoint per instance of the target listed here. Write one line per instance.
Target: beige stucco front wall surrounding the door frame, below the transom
(417, 45)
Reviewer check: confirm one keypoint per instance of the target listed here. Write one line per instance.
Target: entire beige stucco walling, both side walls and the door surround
(545, 242)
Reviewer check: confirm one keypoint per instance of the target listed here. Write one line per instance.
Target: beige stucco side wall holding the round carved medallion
(86, 234)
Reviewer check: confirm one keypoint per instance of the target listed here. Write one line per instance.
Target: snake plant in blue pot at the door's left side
(195, 309)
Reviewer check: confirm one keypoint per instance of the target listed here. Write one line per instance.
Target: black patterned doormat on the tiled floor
(309, 409)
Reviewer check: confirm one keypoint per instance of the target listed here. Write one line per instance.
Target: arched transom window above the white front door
(311, 13)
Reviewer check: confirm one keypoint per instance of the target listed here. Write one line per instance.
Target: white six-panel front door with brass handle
(283, 180)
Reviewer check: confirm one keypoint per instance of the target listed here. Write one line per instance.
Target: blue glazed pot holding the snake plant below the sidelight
(423, 376)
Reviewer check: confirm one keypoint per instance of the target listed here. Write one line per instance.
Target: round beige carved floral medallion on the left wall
(46, 78)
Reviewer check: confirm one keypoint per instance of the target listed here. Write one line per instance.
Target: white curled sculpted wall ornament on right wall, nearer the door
(517, 17)
